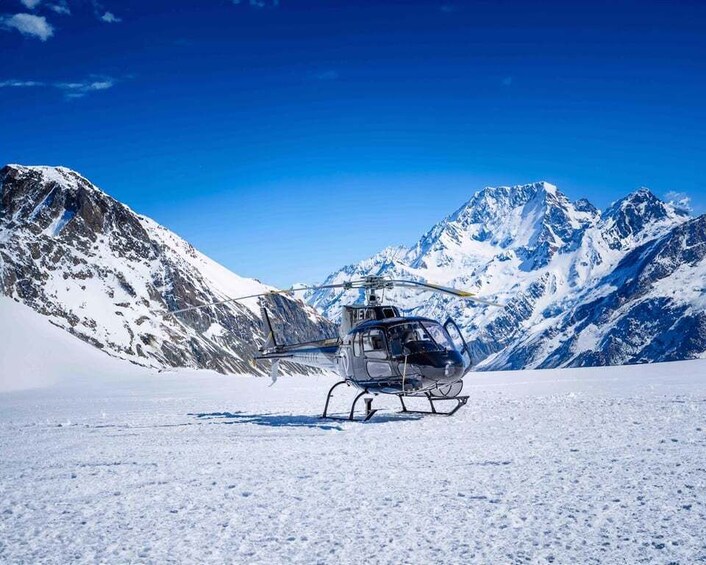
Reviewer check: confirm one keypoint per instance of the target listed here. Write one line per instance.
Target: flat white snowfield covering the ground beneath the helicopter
(567, 466)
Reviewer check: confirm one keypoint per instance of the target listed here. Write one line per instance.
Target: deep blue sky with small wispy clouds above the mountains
(288, 138)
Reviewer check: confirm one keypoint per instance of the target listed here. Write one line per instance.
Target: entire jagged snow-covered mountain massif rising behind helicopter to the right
(548, 260)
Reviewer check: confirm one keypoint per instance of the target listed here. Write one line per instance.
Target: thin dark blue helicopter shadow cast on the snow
(292, 421)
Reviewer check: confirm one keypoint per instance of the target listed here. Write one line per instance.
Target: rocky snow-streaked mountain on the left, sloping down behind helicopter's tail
(109, 276)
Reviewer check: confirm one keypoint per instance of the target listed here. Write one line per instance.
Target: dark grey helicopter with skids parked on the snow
(378, 350)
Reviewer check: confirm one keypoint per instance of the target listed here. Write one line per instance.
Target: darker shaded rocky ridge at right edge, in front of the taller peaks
(651, 307)
